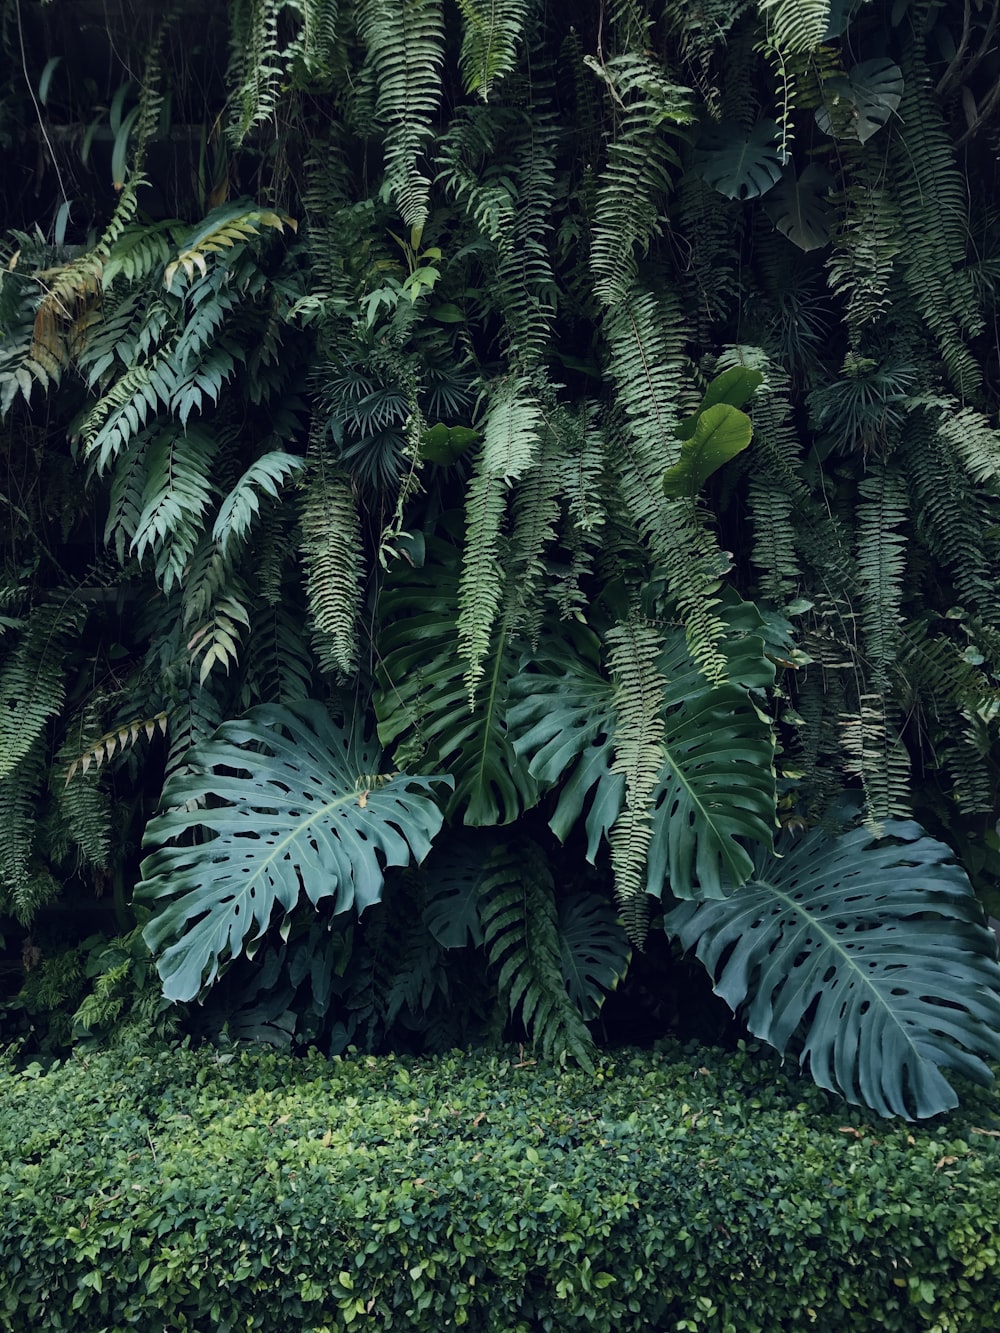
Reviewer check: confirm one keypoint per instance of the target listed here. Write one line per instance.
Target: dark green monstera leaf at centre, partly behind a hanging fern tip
(423, 703)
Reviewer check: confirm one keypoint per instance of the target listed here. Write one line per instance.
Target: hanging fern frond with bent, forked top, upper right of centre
(633, 189)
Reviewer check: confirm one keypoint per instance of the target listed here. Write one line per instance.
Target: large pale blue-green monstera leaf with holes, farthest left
(279, 806)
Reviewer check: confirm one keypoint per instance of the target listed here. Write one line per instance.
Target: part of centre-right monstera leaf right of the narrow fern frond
(718, 786)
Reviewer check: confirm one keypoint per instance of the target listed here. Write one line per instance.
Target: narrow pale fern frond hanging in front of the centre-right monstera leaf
(639, 756)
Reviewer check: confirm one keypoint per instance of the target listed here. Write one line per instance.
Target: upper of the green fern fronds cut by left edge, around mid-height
(31, 680)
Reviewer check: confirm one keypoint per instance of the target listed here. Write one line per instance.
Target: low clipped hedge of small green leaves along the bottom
(190, 1191)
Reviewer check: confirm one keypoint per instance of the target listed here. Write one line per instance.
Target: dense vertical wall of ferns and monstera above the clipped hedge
(501, 514)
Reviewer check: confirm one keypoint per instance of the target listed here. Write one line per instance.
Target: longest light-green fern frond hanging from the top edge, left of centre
(406, 49)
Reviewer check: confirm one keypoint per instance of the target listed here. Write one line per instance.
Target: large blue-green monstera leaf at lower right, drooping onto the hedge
(873, 956)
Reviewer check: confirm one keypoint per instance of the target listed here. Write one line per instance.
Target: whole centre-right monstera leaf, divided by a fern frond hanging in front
(717, 786)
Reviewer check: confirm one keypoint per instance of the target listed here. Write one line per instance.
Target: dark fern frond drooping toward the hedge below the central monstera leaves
(518, 912)
